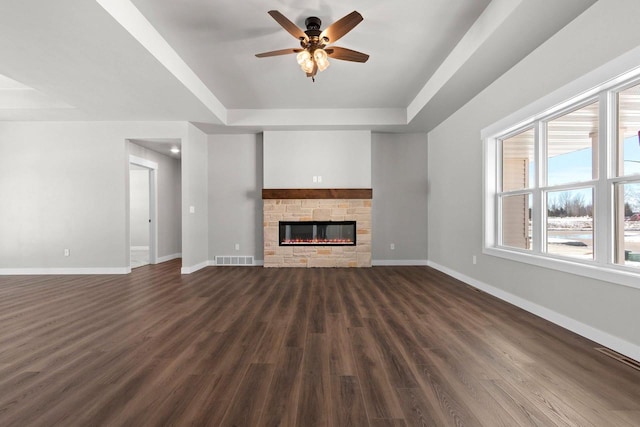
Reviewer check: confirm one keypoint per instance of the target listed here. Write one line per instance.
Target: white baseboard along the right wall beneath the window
(607, 340)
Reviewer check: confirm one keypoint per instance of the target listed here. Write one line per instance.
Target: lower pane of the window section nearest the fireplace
(516, 221)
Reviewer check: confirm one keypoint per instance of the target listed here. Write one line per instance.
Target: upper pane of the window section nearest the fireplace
(517, 161)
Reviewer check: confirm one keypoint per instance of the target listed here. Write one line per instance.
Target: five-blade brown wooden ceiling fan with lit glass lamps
(314, 52)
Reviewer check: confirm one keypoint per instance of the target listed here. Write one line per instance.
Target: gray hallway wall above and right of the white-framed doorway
(169, 187)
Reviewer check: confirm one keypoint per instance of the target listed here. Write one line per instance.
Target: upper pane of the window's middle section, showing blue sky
(572, 146)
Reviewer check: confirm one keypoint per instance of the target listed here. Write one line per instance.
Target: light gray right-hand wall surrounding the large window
(603, 32)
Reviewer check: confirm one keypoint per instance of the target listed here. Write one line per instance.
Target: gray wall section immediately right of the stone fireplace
(399, 178)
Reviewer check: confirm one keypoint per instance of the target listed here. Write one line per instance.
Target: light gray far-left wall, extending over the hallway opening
(65, 185)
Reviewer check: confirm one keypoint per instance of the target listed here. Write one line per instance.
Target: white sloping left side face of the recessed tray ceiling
(127, 15)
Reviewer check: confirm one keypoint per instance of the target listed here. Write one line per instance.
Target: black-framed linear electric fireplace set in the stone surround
(317, 233)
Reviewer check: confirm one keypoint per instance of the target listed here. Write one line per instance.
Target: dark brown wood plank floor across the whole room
(247, 346)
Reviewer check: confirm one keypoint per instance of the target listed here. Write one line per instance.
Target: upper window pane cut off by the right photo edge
(629, 131)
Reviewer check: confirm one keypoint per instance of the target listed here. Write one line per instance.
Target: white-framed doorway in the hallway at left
(142, 211)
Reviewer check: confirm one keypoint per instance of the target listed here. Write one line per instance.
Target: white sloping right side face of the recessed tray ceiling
(491, 18)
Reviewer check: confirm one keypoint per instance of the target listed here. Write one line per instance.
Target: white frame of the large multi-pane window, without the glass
(600, 85)
